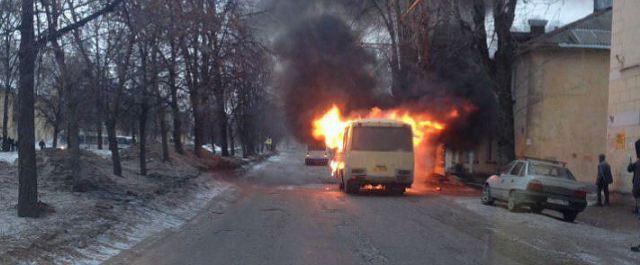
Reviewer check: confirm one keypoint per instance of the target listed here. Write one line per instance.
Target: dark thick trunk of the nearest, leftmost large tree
(27, 173)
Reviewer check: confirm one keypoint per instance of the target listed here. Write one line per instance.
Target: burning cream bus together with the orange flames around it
(377, 147)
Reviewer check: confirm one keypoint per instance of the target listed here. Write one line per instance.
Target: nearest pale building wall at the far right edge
(624, 92)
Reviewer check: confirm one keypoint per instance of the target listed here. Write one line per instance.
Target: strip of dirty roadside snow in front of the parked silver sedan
(589, 244)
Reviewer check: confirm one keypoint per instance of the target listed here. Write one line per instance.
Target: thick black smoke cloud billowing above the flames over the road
(323, 63)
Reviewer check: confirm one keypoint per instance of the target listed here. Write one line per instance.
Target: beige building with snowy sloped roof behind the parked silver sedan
(560, 88)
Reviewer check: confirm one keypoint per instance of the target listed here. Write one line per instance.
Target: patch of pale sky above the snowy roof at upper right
(558, 12)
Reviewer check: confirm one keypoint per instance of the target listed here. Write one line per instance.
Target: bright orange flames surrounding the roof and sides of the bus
(331, 125)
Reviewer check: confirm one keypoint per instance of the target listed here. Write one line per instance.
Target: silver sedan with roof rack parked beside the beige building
(538, 184)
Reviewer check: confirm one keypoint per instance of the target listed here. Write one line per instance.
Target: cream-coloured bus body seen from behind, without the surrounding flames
(376, 152)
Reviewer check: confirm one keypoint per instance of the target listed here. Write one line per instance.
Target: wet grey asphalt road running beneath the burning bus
(286, 213)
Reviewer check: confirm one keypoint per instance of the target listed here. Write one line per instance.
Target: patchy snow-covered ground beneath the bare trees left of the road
(87, 228)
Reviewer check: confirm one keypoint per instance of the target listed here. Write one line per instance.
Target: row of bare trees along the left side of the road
(166, 69)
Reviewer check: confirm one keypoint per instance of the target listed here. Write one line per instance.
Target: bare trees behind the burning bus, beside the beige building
(450, 39)
